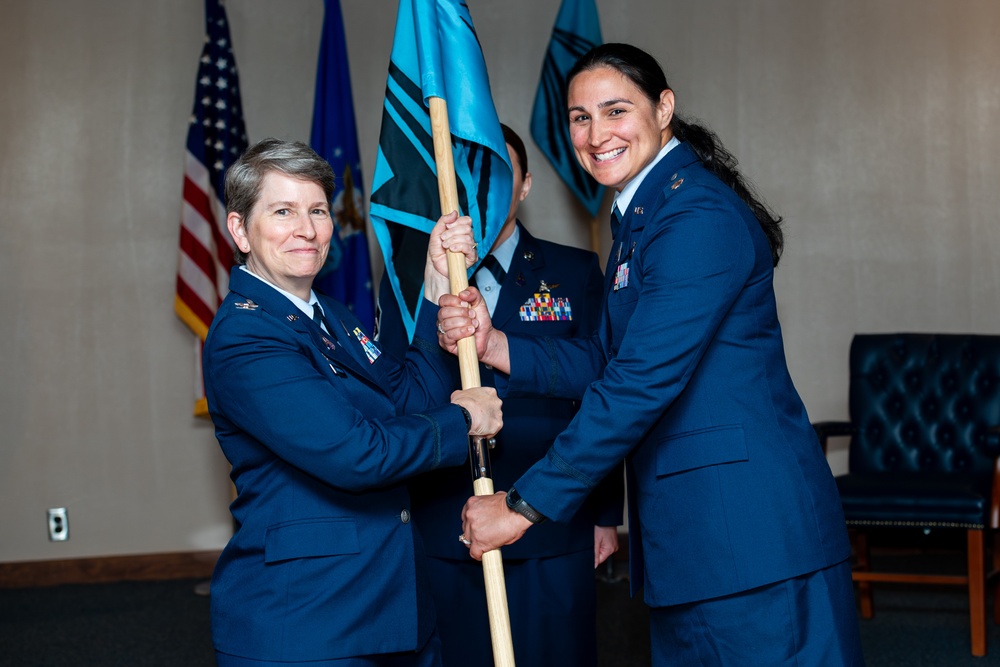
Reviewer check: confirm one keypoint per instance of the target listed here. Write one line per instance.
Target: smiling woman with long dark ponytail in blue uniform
(735, 521)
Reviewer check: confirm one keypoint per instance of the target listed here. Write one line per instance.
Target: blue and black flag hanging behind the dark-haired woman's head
(576, 31)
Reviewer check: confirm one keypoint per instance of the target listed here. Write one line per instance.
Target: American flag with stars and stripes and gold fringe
(216, 137)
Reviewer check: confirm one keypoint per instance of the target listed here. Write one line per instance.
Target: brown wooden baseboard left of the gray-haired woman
(143, 567)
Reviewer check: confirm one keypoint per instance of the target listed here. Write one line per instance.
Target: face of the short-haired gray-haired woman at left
(287, 235)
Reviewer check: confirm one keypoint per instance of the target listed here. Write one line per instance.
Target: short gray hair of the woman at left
(245, 177)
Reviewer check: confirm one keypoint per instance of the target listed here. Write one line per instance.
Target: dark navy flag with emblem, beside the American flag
(347, 274)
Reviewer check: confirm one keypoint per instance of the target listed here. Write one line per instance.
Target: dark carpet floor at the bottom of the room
(164, 624)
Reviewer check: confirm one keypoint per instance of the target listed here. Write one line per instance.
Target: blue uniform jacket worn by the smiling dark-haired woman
(728, 487)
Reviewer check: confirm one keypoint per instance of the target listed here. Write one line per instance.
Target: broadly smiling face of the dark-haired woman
(616, 130)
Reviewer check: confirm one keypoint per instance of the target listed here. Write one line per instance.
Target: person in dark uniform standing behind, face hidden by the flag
(536, 288)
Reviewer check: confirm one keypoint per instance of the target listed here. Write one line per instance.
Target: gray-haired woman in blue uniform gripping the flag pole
(322, 431)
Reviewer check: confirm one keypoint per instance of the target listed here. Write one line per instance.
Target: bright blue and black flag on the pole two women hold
(435, 53)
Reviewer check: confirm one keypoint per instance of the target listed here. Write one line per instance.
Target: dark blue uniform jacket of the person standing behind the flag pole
(530, 424)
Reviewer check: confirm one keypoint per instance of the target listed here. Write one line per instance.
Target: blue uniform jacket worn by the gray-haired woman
(324, 562)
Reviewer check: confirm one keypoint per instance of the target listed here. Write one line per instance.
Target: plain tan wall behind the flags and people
(871, 125)
